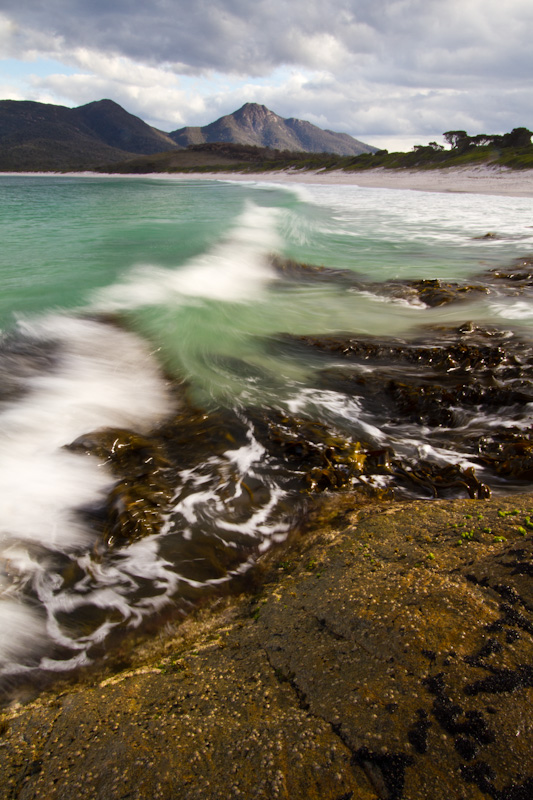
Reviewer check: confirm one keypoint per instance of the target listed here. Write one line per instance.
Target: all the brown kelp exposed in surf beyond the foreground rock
(446, 381)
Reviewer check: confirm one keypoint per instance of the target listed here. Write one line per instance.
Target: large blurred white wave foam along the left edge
(104, 377)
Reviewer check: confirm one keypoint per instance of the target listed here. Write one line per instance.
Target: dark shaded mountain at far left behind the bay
(40, 136)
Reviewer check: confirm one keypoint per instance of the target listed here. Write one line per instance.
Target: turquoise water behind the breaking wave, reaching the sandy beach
(64, 237)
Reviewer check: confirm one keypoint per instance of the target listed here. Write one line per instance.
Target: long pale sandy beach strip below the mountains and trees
(484, 179)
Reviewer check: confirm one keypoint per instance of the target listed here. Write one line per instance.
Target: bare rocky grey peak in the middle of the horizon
(254, 124)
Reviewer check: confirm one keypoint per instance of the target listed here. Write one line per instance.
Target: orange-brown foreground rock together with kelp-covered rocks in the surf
(383, 652)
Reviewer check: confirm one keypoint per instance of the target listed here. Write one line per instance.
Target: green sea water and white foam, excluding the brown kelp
(116, 291)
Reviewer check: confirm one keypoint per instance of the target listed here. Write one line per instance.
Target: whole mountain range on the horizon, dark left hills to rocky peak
(45, 137)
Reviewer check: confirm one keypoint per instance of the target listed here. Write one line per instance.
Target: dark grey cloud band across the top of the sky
(255, 37)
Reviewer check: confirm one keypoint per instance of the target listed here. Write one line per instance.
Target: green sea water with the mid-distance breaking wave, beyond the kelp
(66, 240)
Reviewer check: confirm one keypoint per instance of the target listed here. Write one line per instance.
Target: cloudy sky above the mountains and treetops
(392, 73)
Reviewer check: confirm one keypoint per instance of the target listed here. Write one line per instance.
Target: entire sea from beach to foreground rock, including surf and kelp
(184, 363)
